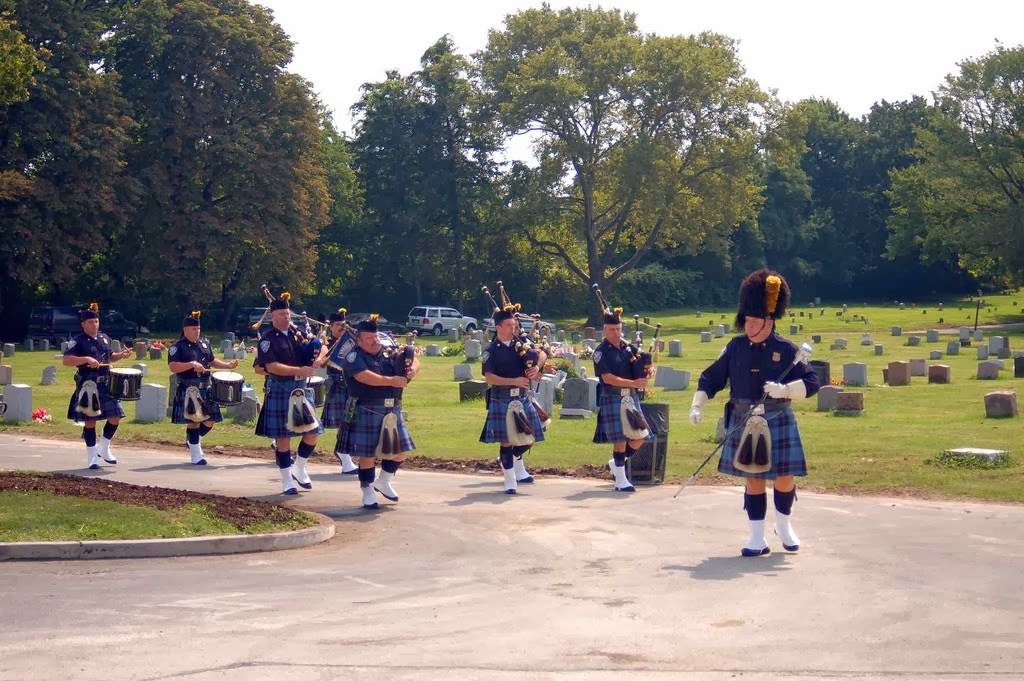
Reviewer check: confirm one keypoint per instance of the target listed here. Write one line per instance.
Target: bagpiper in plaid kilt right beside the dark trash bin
(619, 419)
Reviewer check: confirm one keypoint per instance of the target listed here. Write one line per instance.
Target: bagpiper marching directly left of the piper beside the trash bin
(509, 366)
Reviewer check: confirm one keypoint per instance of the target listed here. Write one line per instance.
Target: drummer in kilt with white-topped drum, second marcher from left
(191, 359)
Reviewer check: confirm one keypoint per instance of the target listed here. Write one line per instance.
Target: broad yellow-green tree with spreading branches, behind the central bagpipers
(643, 140)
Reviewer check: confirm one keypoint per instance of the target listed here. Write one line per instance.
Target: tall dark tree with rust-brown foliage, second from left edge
(230, 152)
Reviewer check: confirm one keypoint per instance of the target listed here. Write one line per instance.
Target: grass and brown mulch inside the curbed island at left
(42, 507)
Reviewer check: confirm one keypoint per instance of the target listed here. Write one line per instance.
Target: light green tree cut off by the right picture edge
(965, 199)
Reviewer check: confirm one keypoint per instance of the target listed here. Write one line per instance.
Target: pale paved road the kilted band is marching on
(567, 581)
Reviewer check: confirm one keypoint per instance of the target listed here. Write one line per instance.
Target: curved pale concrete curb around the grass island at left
(167, 548)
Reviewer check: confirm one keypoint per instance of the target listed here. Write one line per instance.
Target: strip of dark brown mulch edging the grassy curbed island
(240, 513)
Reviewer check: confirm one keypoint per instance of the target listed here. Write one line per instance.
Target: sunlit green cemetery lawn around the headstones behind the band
(892, 449)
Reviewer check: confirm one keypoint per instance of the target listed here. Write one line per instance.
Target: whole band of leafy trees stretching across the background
(158, 156)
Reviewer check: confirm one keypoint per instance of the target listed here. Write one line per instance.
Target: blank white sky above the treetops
(852, 53)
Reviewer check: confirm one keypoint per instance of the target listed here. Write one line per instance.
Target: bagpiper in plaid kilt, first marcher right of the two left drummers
(288, 410)
